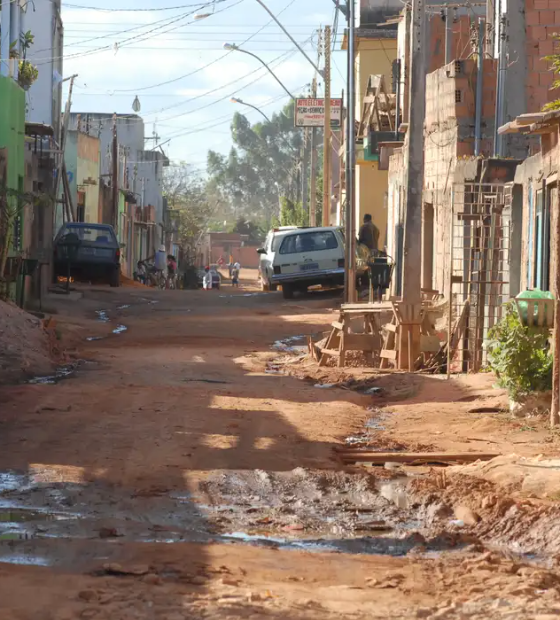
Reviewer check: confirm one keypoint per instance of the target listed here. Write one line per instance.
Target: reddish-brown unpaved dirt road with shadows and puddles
(173, 474)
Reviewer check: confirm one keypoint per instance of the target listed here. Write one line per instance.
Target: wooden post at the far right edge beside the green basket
(555, 408)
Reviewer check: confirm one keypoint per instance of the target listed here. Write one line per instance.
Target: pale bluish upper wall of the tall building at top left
(44, 98)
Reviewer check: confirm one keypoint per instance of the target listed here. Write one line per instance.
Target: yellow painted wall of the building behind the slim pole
(375, 56)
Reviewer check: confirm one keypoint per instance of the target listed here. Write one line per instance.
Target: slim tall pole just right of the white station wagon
(350, 216)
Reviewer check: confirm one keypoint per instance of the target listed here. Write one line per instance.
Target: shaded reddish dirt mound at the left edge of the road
(25, 345)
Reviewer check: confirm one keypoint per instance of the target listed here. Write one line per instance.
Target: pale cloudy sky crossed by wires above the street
(177, 67)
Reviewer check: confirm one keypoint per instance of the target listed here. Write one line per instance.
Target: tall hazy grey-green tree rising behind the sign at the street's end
(261, 167)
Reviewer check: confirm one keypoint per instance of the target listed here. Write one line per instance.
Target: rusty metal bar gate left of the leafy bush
(479, 270)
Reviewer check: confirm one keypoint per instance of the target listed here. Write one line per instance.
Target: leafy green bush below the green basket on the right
(519, 356)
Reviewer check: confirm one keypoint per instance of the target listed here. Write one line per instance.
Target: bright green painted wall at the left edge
(12, 135)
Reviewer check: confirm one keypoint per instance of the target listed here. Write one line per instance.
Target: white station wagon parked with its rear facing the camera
(297, 258)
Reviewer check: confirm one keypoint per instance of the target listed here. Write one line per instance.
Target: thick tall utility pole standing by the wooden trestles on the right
(409, 346)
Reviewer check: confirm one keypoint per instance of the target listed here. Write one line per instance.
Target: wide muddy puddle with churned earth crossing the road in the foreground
(323, 512)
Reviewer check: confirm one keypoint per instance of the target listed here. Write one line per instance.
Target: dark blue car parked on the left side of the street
(97, 255)
